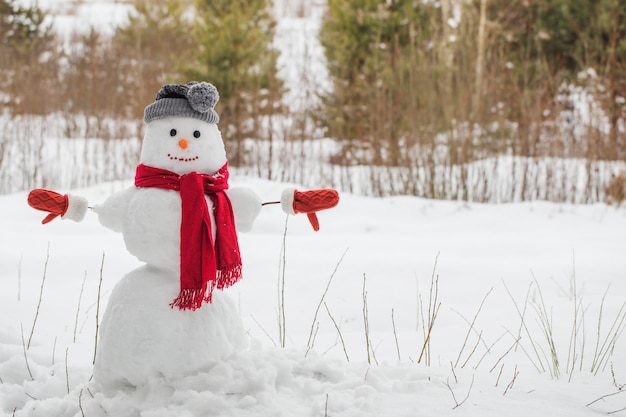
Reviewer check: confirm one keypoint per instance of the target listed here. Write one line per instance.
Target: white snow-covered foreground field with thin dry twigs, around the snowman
(562, 264)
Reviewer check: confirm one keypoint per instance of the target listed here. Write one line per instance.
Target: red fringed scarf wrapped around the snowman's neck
(204, 264)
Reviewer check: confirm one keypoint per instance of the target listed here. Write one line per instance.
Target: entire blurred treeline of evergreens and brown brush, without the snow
(415, 84)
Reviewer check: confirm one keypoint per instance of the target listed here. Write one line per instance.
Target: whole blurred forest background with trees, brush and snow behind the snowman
(475, 100)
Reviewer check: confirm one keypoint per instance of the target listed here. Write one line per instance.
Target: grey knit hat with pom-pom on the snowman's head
(184, 100)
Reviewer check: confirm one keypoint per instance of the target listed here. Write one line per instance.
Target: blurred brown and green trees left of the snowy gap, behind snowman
(99, 77)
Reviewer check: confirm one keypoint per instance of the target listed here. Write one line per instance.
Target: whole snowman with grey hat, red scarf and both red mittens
(169, 318)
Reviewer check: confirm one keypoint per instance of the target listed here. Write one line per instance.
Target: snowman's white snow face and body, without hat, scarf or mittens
(141, 336)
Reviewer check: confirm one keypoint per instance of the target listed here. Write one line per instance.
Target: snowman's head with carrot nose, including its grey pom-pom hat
(181, 130)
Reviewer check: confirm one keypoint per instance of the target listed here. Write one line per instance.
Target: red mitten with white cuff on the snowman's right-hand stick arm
(309, 202)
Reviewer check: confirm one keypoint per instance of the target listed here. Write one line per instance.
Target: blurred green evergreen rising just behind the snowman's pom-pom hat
(235, 53)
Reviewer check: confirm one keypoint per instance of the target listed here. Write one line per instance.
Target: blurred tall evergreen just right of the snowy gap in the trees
(372, 48)
